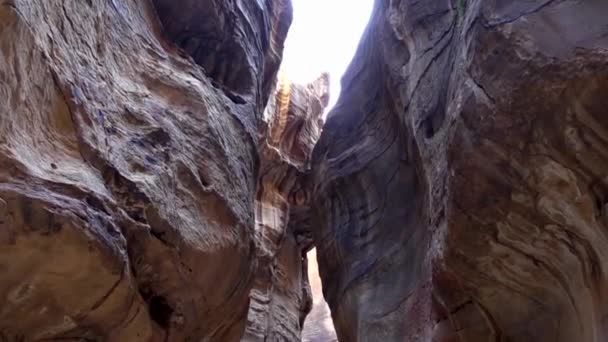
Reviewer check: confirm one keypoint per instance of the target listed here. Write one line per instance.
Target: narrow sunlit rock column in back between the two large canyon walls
(281, 297)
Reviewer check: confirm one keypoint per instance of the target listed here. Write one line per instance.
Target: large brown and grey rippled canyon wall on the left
(128, 173)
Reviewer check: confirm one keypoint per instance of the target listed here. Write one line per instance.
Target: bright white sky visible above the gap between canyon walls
(323, 37)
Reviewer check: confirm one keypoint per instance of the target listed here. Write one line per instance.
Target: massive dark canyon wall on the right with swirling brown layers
(461, 182)
